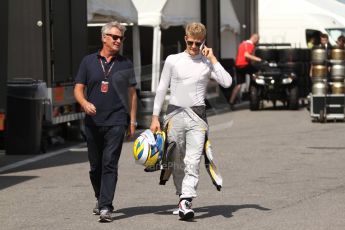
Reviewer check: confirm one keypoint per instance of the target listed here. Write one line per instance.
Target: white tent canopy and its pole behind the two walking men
(158, 14)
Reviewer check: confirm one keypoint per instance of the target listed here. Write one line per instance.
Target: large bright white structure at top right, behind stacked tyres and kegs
(282, 21)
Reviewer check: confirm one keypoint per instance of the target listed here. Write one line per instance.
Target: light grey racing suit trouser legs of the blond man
(189, 134)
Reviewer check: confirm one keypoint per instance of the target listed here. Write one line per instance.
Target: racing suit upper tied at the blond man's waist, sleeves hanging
(198, 115)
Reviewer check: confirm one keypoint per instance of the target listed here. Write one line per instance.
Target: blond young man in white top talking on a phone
(187, 74)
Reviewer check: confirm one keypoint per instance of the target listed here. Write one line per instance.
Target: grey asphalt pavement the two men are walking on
(280, 171)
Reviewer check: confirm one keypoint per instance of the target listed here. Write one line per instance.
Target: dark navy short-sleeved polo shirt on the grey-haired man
(112, 106)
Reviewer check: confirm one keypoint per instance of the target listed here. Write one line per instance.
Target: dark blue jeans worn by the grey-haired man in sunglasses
(104, 149)
